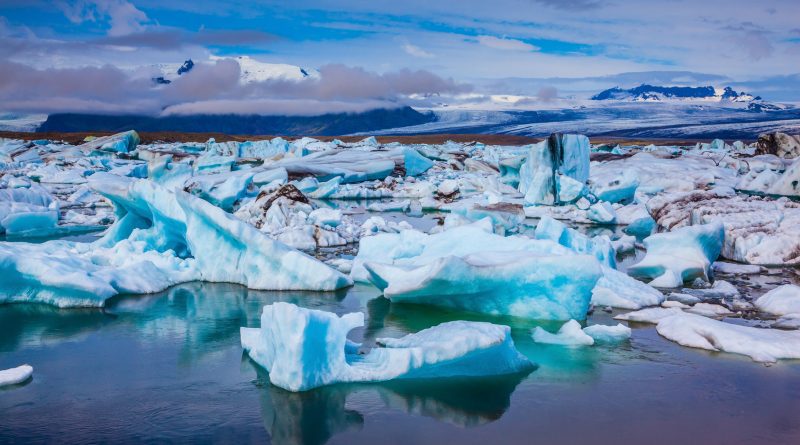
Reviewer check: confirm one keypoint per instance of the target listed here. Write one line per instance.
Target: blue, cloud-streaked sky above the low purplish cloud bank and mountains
(577, 46)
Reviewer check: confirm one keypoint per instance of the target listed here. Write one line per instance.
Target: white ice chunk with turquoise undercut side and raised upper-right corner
(681, 255)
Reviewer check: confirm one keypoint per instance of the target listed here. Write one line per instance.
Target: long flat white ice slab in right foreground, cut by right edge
(762, 345)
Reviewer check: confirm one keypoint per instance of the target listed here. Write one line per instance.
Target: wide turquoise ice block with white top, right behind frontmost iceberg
(519, 283)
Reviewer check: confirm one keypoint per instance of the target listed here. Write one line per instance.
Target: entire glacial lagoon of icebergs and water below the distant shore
(450, 333)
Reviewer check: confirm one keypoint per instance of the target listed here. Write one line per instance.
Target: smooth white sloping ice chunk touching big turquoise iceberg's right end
(617, 289)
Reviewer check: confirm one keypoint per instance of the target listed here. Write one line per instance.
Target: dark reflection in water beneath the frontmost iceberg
(314, 417)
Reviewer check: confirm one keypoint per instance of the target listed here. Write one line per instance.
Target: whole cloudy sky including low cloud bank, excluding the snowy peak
(97, 54)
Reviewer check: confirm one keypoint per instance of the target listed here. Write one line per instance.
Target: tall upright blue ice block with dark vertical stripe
(547, 162)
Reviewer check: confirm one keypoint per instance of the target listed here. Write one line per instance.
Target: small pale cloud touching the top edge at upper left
(121, 16)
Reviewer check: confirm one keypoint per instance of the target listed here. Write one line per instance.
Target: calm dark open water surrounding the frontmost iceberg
(169, 367)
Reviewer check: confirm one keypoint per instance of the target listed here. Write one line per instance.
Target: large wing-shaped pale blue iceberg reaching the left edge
(161, 238)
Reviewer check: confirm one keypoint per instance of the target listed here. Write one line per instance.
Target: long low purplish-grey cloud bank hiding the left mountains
(213, 87)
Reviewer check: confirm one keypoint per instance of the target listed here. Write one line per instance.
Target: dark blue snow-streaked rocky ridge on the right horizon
(653, 93)
